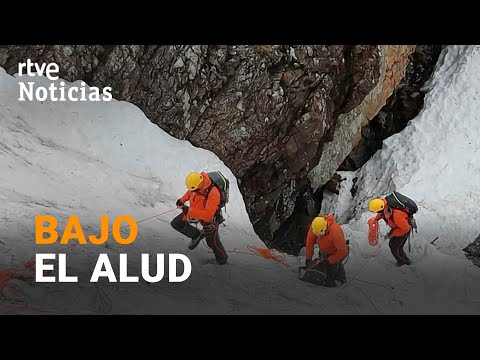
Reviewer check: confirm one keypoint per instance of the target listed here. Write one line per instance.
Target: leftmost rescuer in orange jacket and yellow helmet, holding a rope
(204, 200)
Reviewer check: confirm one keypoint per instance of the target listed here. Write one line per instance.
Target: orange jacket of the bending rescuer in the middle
(331, 244)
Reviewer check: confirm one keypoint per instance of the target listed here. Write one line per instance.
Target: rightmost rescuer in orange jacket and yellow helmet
(399, 223)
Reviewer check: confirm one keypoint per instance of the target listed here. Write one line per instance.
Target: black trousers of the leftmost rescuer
(211, 235)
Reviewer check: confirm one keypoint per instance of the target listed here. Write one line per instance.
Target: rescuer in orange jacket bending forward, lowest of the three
(328, 234)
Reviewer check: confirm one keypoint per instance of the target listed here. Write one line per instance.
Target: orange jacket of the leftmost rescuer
(201, 207)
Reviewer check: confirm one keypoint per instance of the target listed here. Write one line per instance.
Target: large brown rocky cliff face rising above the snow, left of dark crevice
(271, 113)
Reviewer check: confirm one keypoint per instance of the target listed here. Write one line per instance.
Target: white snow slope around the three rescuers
(93, 159)
